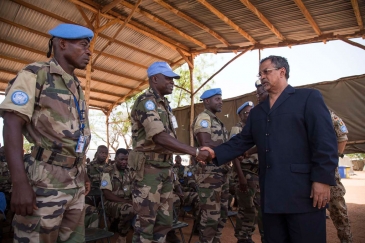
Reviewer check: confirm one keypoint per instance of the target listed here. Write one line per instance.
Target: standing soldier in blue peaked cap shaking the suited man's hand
(154, 141)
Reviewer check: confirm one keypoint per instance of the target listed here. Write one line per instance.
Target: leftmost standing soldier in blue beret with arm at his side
(45, 101)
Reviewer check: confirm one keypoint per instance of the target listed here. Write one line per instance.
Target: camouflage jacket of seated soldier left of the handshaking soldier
(118, 182)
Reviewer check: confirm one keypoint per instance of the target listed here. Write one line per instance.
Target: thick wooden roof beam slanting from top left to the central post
(145, 30)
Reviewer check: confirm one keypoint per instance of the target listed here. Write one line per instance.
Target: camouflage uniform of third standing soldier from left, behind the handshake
(212, 182)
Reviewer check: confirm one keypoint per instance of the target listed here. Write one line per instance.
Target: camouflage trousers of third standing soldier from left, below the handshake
(213, 197)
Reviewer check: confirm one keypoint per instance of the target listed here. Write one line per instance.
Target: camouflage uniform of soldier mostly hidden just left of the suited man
(249, 210)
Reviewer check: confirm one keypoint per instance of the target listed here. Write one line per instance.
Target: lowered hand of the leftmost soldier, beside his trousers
(23, 199)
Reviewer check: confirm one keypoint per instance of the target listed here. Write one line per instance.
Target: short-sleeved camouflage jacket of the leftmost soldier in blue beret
(43, 94)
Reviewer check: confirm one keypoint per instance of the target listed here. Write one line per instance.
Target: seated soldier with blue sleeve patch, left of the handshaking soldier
(116, 186)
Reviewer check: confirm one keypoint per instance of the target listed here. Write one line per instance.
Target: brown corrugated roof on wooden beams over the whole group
(120, 69)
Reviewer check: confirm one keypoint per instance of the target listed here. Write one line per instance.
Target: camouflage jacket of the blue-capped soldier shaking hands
(151, 115)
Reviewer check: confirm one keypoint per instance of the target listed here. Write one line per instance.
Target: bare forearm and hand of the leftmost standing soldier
(23, 199)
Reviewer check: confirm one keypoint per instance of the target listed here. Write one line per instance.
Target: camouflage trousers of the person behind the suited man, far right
(338, 210)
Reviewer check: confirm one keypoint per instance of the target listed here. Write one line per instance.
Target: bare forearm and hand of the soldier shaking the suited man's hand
(172, 144)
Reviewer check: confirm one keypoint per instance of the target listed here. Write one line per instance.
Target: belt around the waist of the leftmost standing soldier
(54, 158)
